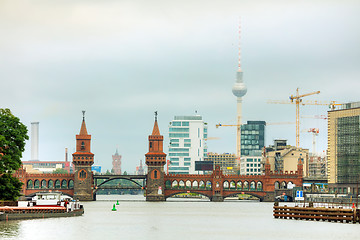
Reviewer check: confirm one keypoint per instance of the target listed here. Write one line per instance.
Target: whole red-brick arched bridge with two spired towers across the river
(82, 184)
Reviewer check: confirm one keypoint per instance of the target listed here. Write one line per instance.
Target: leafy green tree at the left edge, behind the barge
(12, 143)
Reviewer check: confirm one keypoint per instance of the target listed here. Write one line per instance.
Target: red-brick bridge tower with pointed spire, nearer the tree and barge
(82, 160)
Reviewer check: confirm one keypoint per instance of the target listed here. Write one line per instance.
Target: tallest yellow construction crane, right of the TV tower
(298, 100)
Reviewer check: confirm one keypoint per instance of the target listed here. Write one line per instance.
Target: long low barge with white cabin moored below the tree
(43, 205)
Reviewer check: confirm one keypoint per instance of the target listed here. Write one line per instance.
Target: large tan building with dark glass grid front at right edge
(344, 148)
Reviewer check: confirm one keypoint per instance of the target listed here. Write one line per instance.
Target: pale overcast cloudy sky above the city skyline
(122, 60)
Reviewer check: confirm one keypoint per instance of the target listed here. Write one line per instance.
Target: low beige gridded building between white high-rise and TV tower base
(226, 161)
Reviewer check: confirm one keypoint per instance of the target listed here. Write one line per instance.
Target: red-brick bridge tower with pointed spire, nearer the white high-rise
(155, 160)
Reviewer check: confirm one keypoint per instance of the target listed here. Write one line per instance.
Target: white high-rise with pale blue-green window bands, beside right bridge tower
(187, 136)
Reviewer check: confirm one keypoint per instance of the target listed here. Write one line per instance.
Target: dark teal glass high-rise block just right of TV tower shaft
(252, 138)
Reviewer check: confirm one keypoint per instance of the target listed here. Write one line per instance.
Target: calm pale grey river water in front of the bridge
(174, 219)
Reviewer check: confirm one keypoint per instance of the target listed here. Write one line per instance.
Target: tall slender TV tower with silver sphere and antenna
(239, 90)
